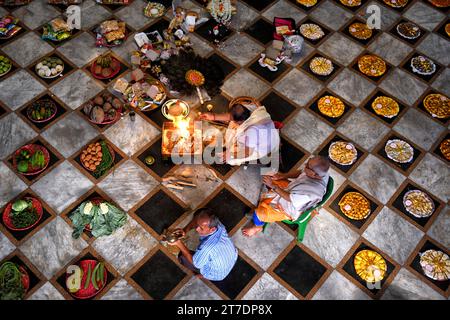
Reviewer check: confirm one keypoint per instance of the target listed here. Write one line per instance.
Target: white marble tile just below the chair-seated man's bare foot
(264, 247)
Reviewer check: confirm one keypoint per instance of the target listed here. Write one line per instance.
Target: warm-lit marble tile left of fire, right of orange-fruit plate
(130, 136)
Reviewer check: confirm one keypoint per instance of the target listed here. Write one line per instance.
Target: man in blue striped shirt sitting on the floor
(216, 254)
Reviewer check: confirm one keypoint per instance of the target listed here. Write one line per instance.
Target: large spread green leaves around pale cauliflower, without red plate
(100, 224)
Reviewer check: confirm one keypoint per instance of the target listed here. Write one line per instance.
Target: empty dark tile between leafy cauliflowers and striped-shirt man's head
(160, 211)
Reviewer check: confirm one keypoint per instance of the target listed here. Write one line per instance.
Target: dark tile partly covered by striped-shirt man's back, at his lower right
(241, 274)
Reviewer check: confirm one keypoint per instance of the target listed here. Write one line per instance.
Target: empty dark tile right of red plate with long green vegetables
(158, 276)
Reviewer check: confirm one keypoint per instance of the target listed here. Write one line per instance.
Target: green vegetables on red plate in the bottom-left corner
(11, 287)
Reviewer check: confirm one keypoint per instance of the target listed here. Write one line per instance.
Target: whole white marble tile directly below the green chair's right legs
(329, 238)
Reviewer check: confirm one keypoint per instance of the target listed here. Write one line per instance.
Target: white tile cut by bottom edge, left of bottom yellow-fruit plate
(337, 287)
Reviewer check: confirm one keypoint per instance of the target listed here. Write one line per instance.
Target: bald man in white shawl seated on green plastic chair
(290, 194)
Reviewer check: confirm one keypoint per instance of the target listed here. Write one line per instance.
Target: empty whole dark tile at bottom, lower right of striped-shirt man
(301, 271)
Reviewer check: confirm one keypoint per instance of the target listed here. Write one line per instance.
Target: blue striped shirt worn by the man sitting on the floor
(216, 255)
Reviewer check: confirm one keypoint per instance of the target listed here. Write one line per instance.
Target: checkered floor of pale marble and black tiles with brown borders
(272, 265)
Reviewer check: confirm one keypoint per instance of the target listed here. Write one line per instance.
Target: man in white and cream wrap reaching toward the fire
(251, 134)
